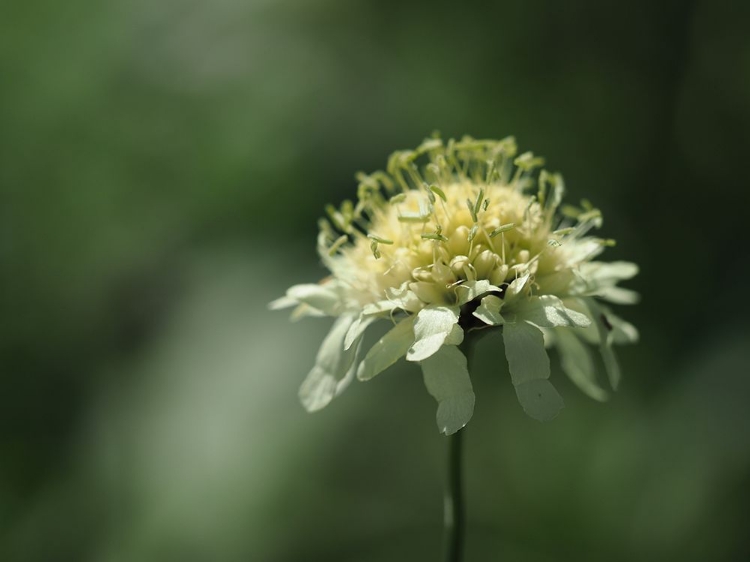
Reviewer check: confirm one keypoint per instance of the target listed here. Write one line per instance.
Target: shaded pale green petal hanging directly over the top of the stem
(447, 379)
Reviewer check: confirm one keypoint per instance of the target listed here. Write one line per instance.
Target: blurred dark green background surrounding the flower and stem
(162, 167)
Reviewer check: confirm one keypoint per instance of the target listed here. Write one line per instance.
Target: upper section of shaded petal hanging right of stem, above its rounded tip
(524, 349)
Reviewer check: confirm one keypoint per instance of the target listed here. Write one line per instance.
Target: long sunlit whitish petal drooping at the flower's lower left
(334, 368)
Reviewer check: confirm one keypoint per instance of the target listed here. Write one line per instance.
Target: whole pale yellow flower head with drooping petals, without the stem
(456, 238)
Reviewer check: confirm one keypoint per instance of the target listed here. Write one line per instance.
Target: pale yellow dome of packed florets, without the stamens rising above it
(437, 244)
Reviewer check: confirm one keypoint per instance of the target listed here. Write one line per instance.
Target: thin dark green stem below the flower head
(454, 501)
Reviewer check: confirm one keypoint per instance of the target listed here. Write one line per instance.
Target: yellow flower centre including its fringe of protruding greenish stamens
(465, 216)
